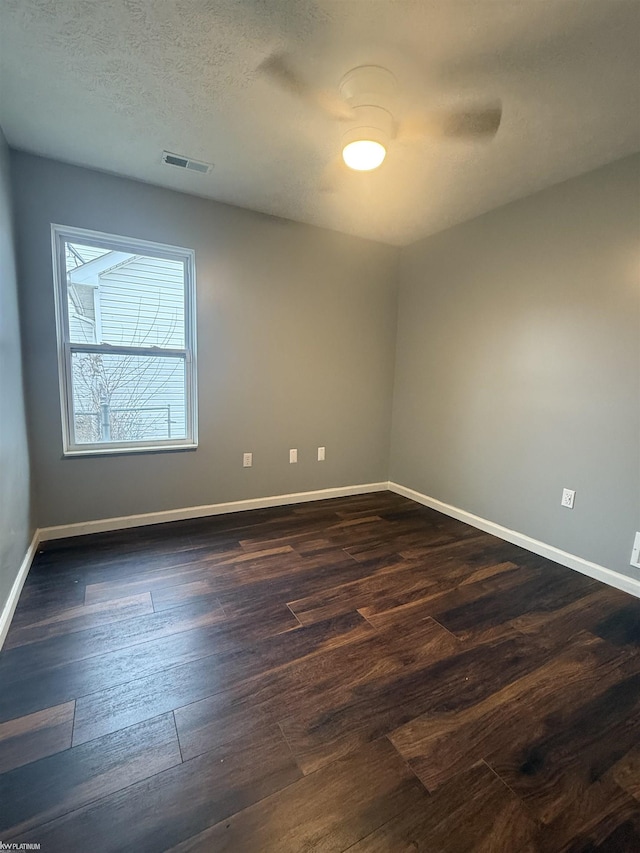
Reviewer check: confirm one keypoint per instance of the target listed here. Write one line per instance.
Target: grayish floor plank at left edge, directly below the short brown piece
(46, 789)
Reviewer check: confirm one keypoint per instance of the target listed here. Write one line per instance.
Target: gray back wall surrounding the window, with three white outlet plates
(296, 337)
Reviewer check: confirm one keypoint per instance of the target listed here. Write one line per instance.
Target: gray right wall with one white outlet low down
(518, 366)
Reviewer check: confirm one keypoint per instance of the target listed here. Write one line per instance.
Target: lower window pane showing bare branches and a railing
(128, 397)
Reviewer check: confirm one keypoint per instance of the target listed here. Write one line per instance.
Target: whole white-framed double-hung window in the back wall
(125, 313)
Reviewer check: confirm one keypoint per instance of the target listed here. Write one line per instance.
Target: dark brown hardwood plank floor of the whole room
(357, 674)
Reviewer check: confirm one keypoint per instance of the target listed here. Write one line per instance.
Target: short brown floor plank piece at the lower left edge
(35, 736)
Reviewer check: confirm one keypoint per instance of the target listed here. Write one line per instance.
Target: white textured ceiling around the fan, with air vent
(111, 83)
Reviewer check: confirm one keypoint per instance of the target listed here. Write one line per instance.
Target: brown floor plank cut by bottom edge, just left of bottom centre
(327, 811)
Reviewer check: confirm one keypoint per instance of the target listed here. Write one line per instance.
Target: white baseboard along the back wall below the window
(63, 531)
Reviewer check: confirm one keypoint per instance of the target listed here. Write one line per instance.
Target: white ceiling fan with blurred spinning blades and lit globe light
(365, 102)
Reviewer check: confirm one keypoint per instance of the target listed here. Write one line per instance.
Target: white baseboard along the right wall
(585, 567)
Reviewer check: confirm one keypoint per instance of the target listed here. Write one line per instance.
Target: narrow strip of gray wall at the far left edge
(16, 528)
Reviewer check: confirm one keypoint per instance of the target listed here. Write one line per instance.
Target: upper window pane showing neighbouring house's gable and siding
(124, 299)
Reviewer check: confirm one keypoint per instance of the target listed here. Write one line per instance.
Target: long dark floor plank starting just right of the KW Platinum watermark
(160, 812)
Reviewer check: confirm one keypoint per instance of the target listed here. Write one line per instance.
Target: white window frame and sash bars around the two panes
(60, 234)
